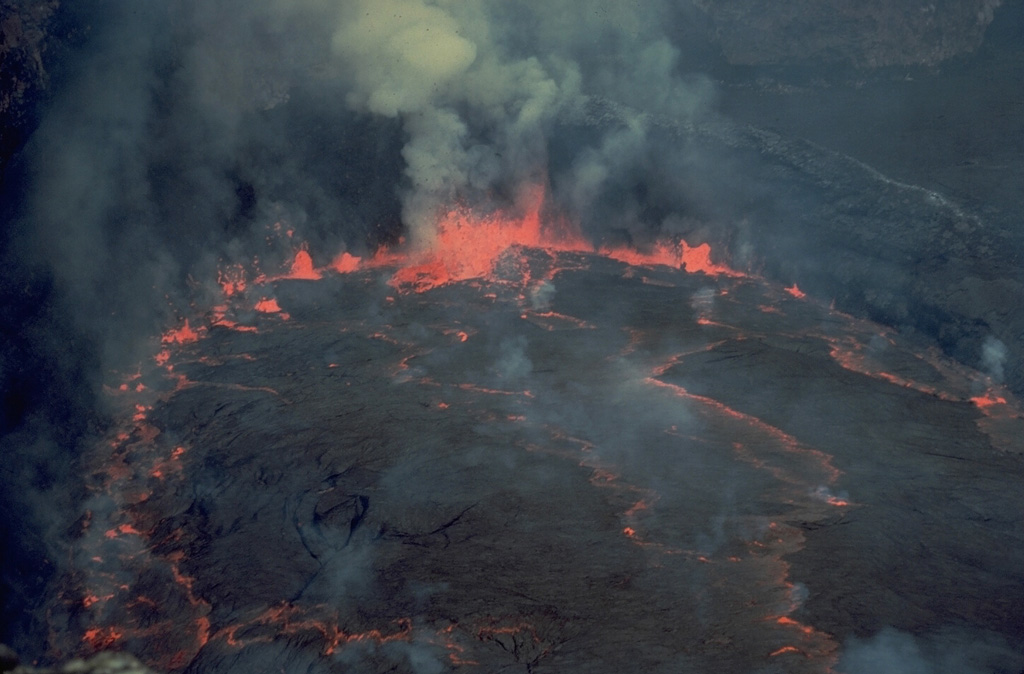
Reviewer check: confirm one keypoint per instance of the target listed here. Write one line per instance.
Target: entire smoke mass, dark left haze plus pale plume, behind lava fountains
(184, 132)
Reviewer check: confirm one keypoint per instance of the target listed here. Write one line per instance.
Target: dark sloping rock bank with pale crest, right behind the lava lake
(897, 252)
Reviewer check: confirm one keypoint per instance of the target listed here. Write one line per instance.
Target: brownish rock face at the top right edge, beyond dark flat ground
(865, 34)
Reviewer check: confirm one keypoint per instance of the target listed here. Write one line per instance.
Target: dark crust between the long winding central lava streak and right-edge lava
(921, 528)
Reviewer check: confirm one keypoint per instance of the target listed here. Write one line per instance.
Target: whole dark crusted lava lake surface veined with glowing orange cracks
(573, 466)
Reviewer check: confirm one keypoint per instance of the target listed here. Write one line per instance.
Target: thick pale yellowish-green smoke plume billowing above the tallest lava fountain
(478, 101)
